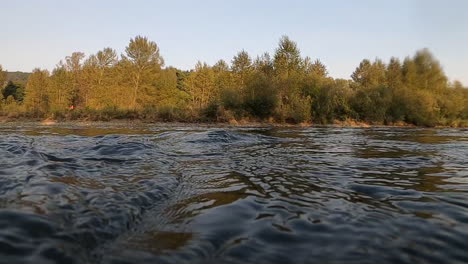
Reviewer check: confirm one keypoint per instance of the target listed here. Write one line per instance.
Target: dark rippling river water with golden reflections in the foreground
(155, 194)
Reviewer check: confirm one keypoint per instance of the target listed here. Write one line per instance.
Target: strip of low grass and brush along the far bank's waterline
(210, 114)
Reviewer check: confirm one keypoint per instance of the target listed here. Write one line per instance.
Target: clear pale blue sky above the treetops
(340, 33)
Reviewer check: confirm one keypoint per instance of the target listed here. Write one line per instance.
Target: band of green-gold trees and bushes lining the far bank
(284, 87)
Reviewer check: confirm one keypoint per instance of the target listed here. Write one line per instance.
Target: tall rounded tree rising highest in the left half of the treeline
(143, 61)
